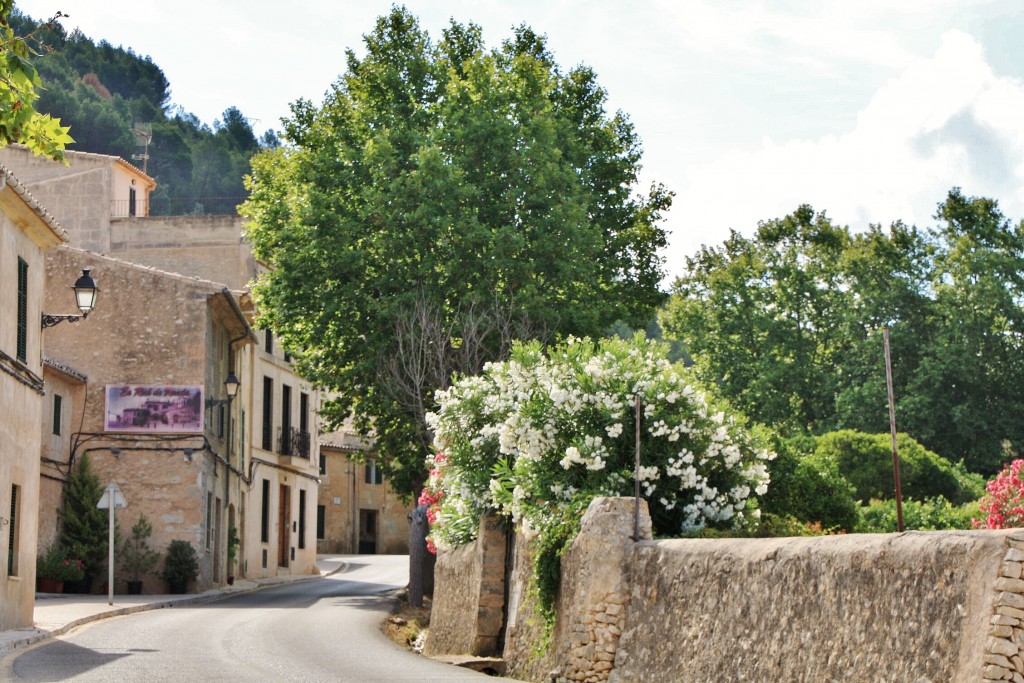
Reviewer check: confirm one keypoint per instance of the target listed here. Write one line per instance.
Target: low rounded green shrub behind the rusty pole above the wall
(866, 461)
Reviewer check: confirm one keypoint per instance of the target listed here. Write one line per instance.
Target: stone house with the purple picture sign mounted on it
(155, 418)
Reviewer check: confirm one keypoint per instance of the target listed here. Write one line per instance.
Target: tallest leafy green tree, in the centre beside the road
(445, 200)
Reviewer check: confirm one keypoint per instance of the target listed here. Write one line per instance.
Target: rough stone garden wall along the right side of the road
(916, 607)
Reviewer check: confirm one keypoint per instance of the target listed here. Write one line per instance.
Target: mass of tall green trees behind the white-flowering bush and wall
(789, 324)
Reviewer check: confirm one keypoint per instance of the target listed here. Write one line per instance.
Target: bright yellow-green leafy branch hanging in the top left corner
(21, 122)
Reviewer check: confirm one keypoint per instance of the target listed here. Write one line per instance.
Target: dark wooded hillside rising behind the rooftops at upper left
(118, 103)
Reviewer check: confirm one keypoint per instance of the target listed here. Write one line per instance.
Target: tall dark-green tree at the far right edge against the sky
(964, 400)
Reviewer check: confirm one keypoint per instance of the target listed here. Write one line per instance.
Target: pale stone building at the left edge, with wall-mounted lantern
(27, 232)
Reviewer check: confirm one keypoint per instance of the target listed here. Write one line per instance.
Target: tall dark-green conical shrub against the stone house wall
(84, 528)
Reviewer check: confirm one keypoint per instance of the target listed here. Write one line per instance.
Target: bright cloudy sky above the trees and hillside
(869, 110)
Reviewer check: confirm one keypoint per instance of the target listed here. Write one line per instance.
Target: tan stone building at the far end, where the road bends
(358, 511)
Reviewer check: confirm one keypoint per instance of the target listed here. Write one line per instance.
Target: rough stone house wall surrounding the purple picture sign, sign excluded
(170, 335)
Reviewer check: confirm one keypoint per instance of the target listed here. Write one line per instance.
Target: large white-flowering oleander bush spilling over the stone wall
(544, 433)
